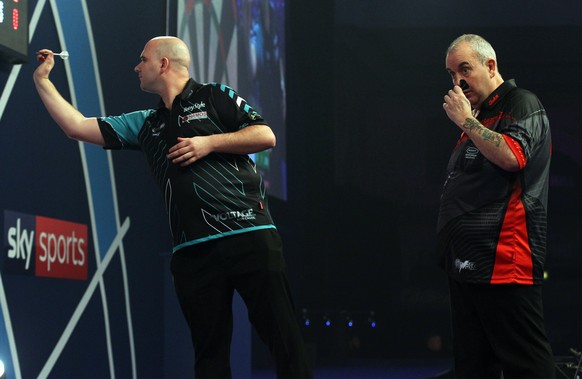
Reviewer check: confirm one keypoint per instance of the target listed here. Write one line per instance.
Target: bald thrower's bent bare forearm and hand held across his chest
(248, 140)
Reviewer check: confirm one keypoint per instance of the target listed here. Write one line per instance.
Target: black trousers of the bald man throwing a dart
(205, 278)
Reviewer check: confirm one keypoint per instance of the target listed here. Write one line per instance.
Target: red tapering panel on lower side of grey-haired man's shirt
(513, 259)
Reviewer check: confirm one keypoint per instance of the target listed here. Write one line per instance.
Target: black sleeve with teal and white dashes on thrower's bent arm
(234, 112)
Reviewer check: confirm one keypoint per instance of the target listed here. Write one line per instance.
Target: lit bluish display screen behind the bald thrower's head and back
(242, 44)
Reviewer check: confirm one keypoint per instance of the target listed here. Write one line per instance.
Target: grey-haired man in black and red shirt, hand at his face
(492, 219)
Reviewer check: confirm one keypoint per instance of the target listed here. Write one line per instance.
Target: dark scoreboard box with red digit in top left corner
(13, 31)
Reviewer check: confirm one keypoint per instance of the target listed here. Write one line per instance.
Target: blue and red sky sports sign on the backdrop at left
(44, 247)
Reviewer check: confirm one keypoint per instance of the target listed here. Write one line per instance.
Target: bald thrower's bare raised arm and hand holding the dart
(72, 122)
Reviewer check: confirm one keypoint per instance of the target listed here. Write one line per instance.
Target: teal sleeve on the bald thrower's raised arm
(122, 132)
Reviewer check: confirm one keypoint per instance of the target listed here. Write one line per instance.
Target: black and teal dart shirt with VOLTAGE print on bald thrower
(219, 195)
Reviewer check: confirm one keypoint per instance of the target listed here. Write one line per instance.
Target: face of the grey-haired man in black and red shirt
(463, 64)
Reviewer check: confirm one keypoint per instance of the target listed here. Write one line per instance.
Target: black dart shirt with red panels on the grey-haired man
(492, 223)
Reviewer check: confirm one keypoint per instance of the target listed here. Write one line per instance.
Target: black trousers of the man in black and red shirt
(499, 329)
